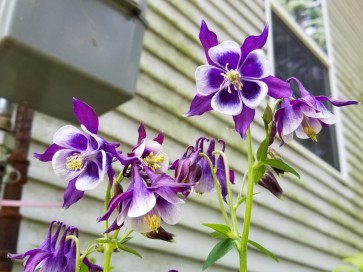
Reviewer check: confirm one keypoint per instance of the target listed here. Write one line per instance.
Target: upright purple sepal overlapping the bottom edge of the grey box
(85, 115)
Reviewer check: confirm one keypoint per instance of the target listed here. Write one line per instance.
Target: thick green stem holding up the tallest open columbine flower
(248, 210)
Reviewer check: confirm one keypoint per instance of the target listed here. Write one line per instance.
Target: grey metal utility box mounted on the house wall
(53, 50)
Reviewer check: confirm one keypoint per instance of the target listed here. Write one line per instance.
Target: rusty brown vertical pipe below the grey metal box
(10, 217)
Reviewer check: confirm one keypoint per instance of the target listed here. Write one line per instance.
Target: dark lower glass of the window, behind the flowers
(292, 58)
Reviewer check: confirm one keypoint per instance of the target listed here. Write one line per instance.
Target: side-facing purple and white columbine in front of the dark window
(305, 115)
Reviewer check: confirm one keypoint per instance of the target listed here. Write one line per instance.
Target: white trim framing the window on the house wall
(328, 61)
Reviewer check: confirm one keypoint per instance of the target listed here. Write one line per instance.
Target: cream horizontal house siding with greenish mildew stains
(320, 219)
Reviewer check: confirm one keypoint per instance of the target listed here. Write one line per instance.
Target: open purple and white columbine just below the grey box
(80, 157)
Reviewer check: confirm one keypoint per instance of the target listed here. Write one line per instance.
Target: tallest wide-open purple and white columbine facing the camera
(236, 80)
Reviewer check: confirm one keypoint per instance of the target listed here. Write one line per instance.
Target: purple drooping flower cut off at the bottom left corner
(56, 253)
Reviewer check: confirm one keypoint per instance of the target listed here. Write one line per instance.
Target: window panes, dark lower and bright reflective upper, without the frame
(292, 57)
